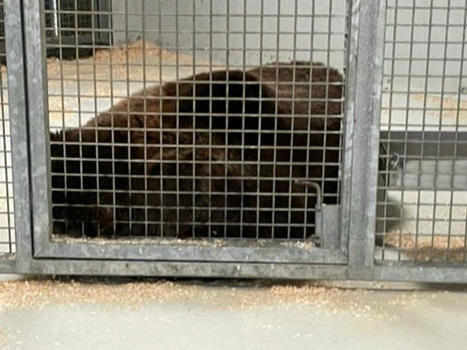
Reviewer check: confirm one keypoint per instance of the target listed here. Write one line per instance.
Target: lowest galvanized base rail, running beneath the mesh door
(394, 272)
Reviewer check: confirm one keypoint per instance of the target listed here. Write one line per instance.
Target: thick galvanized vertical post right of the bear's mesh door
(365, 134)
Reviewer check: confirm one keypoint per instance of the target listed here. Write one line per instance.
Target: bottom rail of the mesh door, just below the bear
(149, 250)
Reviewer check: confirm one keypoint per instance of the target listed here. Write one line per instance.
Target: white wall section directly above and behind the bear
(243, 38)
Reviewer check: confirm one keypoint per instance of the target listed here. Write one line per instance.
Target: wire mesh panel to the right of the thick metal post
(424, 127)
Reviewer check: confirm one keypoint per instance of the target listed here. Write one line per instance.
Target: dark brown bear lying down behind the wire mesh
(217, 154)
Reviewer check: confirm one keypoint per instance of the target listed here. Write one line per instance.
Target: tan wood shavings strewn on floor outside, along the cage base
(227, 295)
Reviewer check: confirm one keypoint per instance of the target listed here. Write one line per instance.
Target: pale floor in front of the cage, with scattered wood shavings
(248, 315)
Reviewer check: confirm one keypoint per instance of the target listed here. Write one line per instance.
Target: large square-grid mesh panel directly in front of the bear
(203, 120)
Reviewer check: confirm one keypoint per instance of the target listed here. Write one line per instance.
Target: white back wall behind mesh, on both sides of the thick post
(233, 32)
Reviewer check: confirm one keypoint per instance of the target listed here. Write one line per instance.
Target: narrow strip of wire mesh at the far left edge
(7, 230)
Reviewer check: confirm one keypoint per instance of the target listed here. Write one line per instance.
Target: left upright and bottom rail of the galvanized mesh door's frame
(45, 248)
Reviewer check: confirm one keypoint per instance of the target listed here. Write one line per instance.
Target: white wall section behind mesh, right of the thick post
(438, 36)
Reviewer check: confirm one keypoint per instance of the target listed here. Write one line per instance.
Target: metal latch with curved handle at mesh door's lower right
(327, 227)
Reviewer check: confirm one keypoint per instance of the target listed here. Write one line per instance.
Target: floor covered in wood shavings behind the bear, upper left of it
(81, 89)
